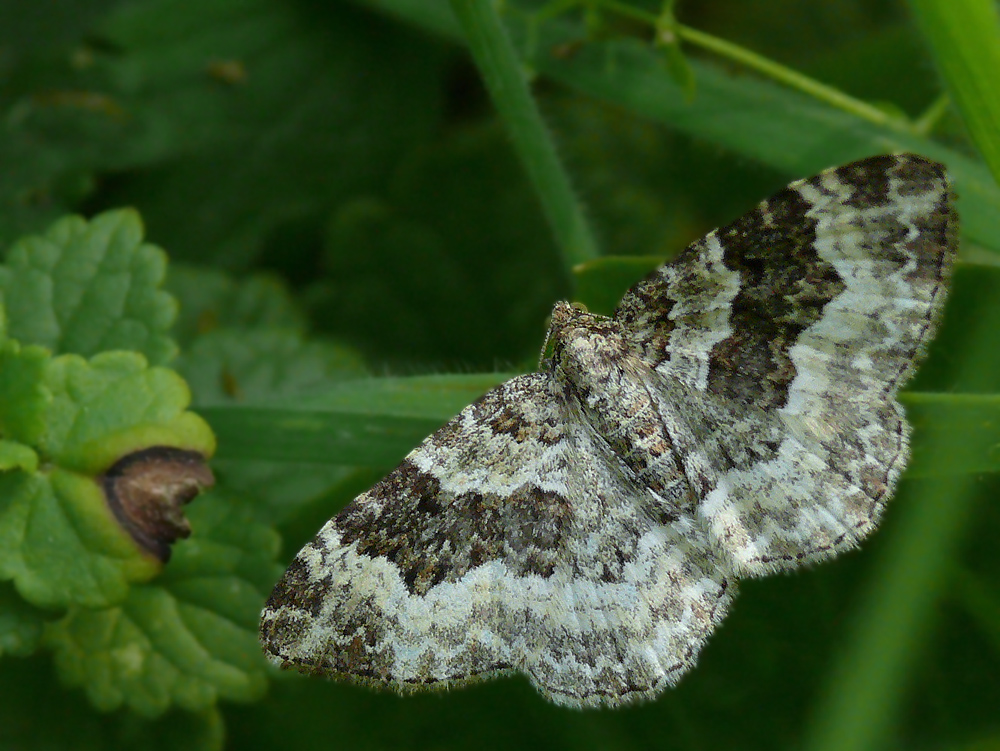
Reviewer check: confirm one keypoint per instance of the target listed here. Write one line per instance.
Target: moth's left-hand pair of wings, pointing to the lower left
(509, 540)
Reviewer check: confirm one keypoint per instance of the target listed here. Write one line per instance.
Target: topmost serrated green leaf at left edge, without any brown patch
(86, 287)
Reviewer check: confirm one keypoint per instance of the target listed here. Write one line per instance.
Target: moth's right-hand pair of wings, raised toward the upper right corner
(801, 321)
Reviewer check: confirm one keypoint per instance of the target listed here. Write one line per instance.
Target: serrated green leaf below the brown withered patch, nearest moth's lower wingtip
(188, 640)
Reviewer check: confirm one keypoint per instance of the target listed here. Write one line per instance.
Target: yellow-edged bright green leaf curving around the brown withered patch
(59, 540)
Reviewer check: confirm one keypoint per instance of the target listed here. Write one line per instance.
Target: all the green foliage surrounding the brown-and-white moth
(342, 210)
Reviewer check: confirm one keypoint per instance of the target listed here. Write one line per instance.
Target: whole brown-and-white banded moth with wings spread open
(586, 524)
